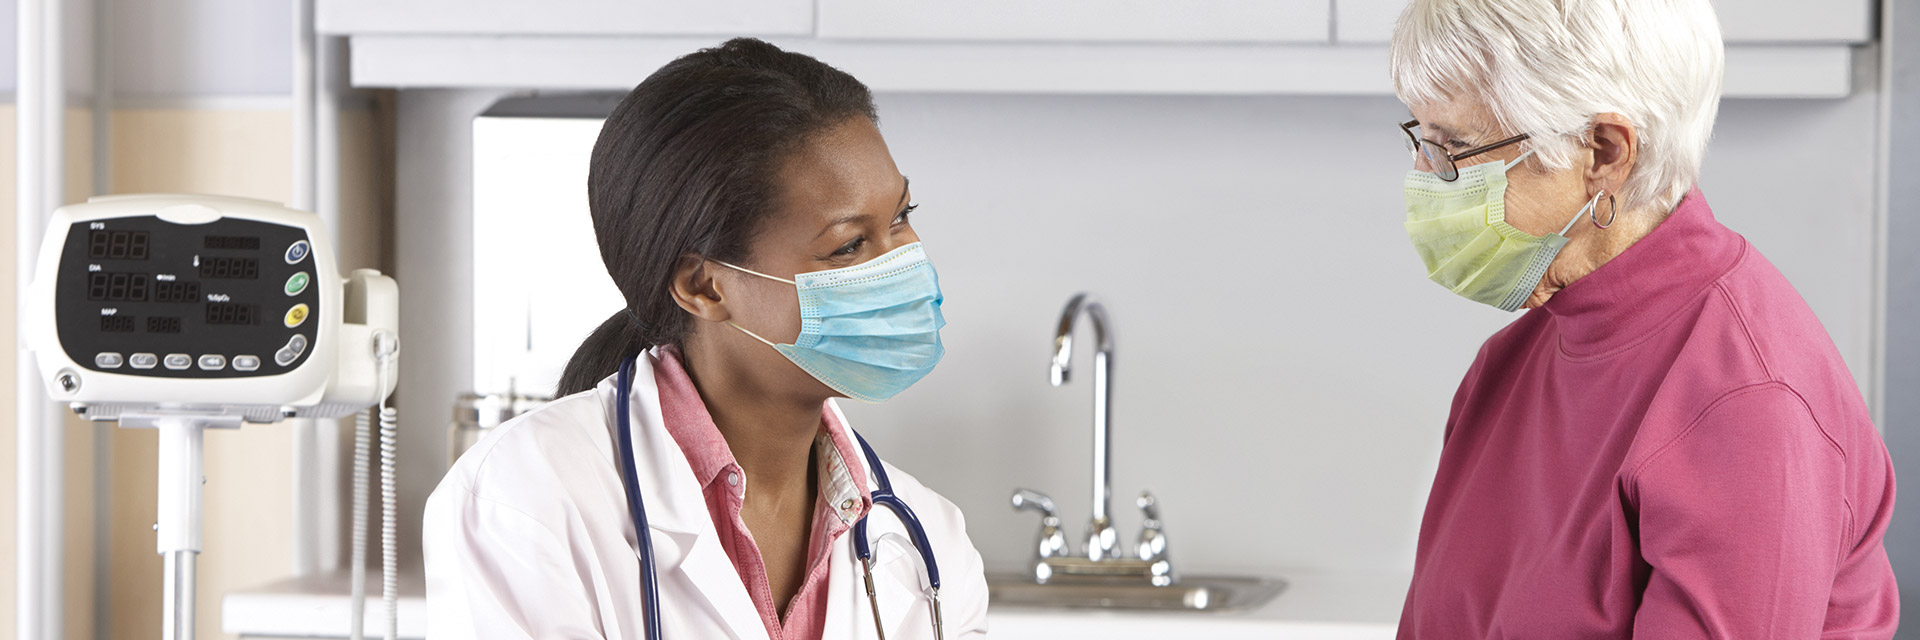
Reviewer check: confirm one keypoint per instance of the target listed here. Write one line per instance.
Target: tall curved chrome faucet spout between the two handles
(1101, 541)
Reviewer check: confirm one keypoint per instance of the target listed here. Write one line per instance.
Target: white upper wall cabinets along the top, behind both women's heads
(1777, 49)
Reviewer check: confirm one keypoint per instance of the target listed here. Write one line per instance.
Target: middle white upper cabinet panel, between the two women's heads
(1078, 20)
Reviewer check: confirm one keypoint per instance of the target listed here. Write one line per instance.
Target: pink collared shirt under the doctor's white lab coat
(842, 501)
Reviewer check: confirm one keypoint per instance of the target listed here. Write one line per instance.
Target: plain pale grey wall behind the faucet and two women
(1284, 368)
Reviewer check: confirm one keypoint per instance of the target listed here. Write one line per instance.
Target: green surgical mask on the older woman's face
(1462, 234)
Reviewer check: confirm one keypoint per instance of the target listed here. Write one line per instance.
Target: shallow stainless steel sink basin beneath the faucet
(1188, 595)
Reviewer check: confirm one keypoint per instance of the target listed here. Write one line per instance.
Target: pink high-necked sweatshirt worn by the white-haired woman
(1671, 449)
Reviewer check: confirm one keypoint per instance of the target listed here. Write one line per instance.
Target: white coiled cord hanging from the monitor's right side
(385, 347)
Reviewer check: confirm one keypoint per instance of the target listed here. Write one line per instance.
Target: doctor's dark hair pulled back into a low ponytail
(688, 164)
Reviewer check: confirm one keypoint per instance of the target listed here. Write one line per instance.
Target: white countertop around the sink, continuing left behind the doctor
(1312, 608)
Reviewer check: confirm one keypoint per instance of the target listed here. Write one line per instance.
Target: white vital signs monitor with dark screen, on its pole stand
(204, 312)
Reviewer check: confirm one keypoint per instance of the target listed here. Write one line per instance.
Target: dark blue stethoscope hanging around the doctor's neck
(650, 587)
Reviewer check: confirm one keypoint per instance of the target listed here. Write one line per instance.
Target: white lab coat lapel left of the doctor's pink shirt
(684, 541)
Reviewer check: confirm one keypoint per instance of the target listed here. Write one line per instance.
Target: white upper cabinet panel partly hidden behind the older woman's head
(1742, 22)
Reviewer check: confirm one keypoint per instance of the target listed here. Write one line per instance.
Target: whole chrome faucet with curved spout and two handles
(1103, 556)
